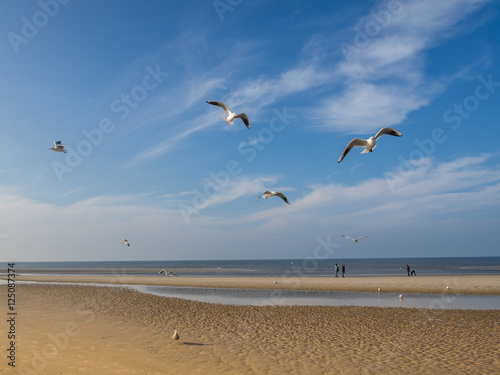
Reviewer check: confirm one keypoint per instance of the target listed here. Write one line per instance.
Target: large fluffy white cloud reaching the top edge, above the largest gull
(386, 74)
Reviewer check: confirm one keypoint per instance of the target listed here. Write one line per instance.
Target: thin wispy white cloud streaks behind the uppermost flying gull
(176, 103)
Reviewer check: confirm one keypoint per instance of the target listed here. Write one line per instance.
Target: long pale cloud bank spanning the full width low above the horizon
(443, 194)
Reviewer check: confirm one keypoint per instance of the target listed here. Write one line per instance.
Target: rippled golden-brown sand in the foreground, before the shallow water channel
(69, 329)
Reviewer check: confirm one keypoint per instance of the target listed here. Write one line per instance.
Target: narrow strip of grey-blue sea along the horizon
(272, 267)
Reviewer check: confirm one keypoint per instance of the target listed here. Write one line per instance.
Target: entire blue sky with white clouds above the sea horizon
(124, 85)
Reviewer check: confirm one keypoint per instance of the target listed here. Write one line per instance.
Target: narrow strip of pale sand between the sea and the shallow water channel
(456, 284)
